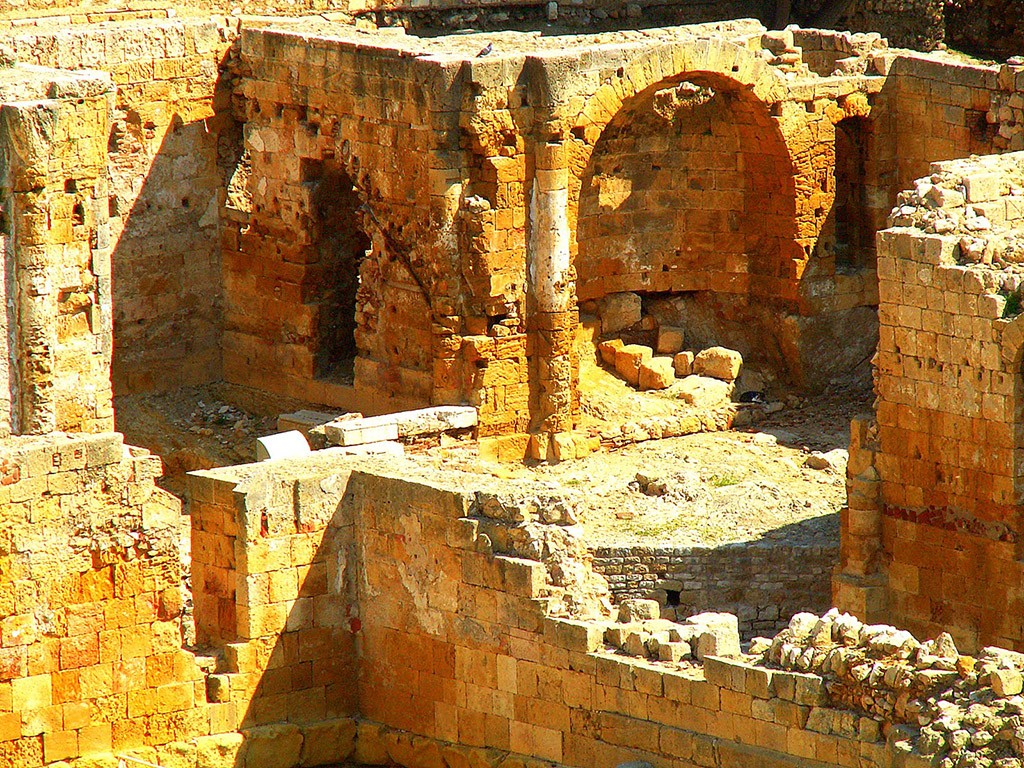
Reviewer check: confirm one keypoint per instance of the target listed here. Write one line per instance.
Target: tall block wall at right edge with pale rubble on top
(933, 529)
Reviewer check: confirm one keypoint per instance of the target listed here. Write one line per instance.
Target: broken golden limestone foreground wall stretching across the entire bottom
(387, 613)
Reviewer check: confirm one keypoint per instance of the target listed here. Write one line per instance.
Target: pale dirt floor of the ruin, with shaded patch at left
(702, 489)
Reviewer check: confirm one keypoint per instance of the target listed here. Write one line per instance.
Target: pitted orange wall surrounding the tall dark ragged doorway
(378, 131)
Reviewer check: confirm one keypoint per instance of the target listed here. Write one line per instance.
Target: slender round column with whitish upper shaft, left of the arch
(551, 288)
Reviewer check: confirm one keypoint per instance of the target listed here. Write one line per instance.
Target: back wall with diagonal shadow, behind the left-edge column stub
(170, 154)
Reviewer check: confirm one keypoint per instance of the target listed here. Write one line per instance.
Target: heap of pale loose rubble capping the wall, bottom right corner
(954, 709)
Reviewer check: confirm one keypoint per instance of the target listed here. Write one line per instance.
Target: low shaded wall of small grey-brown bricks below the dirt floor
(762, 585)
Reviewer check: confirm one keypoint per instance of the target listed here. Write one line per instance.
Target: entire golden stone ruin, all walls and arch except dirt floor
(372, 221)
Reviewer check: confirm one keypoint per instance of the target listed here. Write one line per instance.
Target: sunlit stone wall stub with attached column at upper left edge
(57, 275)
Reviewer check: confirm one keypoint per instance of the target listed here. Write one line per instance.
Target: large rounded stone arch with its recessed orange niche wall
(682, 184)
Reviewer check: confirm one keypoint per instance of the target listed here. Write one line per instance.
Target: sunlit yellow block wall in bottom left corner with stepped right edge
(92, 599)
